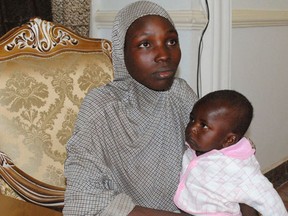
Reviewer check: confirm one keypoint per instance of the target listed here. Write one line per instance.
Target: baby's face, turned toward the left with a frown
(208, 128)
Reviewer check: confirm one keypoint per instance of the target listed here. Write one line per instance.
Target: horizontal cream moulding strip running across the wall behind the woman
(196, 19)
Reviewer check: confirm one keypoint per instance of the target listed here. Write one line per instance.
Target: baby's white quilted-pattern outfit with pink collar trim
(214, 183)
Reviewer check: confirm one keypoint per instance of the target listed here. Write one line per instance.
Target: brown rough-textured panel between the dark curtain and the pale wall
(74, 14)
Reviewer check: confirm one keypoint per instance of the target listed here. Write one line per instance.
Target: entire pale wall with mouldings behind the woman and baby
(255, 61)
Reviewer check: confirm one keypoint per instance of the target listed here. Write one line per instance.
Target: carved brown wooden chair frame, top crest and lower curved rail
(41, 38)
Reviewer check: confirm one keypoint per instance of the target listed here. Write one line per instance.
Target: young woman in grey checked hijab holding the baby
(124, 157)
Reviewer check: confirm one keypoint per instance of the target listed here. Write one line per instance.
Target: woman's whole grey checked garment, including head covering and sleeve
(128, 141)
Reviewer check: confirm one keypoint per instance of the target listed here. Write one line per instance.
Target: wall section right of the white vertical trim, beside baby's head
(259, 69)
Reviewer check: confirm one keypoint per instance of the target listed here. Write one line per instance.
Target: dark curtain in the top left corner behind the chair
(16, 12)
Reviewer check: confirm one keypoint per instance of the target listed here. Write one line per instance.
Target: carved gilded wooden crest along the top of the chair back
(43, 38)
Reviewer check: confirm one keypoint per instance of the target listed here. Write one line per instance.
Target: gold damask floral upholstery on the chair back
(39, 100)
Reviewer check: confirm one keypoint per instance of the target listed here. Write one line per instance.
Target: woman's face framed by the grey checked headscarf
(152, 52)
